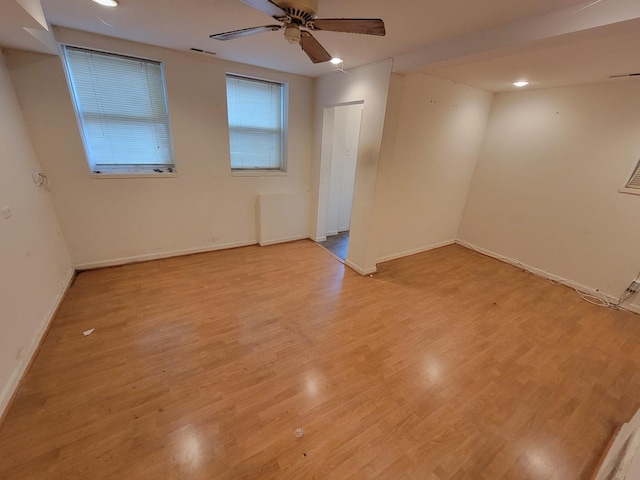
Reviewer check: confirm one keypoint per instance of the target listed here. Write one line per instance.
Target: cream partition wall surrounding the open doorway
(368, 84)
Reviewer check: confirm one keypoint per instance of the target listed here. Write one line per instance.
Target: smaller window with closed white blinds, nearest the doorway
(257, 123)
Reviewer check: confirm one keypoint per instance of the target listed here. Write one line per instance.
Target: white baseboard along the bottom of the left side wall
(11, 389)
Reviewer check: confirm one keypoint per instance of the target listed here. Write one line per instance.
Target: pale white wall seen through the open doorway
(346, 134)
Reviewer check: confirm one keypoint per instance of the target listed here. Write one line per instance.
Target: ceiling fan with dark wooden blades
(297, 17)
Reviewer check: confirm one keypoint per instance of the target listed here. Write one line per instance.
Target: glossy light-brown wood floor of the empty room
(445, 365)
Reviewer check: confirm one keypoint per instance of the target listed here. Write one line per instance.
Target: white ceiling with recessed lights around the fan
(487, 44)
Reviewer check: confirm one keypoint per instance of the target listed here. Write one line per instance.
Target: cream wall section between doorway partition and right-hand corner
(431, 143)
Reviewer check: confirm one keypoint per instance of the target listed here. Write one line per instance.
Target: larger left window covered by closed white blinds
(122, 111)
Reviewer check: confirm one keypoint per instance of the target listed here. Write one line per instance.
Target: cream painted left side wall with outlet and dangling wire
(35, 268)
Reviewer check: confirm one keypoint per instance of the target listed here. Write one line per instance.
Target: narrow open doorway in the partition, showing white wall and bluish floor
(342, 154)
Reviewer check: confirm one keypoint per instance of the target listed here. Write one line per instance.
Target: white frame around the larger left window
(122, 170)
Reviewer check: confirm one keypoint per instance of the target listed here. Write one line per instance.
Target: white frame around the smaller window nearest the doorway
(284, 128)
